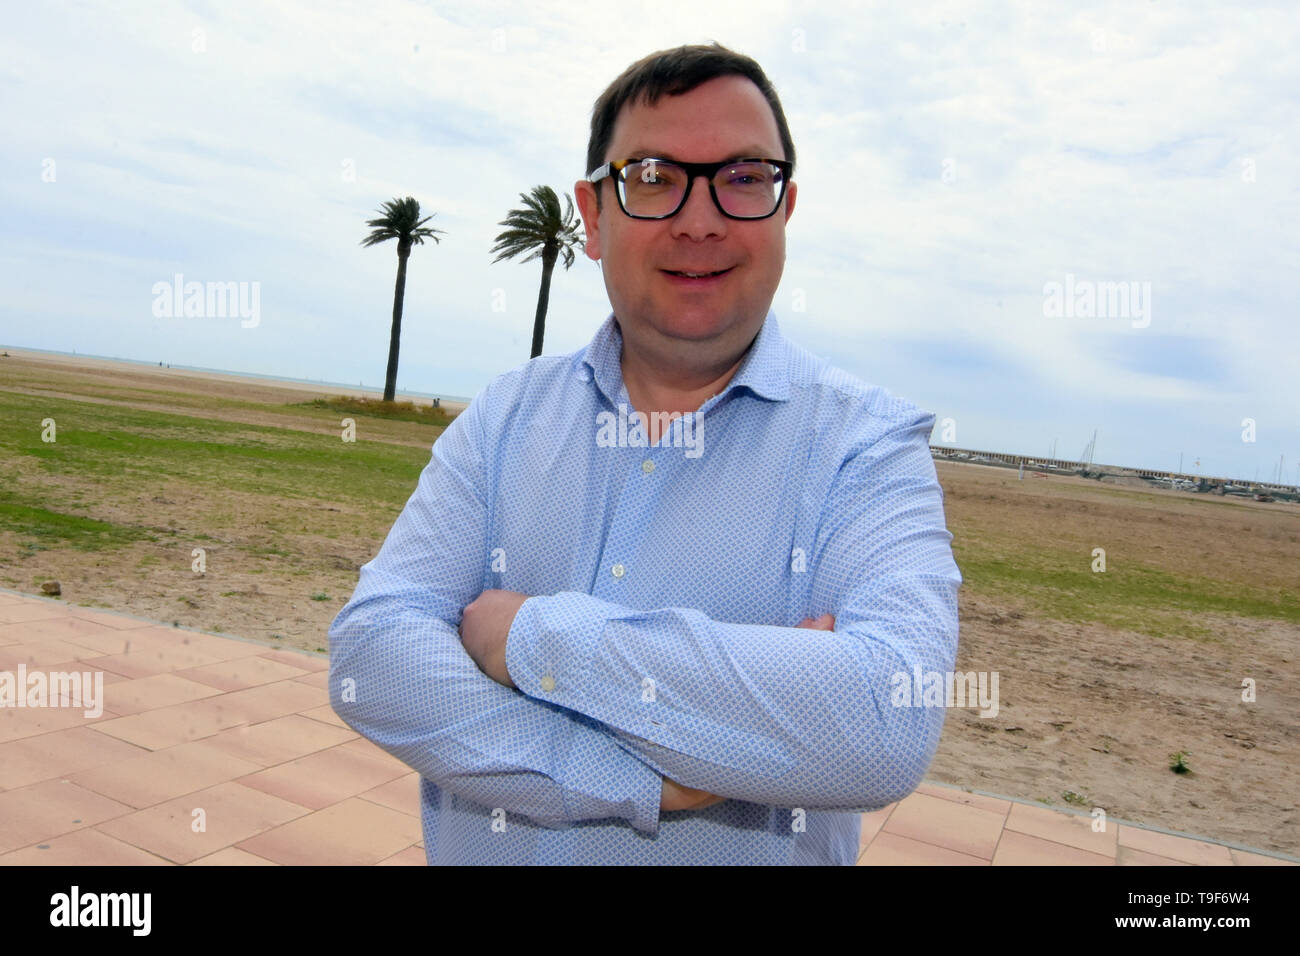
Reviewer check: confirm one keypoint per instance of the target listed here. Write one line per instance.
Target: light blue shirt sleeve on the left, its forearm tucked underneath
(401, 677)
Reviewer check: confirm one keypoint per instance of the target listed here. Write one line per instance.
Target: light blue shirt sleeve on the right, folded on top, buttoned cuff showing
(779, 716)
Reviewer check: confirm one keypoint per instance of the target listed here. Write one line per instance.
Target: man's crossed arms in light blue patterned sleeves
(778, 716)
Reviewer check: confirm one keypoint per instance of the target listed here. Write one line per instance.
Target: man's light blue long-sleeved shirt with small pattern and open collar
(662, 638)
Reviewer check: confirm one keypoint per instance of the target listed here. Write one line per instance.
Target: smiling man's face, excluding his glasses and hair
(723, 119)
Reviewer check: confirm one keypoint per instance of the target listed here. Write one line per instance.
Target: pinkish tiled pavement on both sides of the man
(216, 751)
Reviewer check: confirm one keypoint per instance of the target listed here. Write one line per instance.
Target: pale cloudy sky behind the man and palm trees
(969, 178)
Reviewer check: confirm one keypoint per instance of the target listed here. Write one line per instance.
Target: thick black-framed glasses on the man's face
(657, 189)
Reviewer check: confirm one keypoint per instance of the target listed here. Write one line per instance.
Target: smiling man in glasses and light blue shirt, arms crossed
(648, 602)
